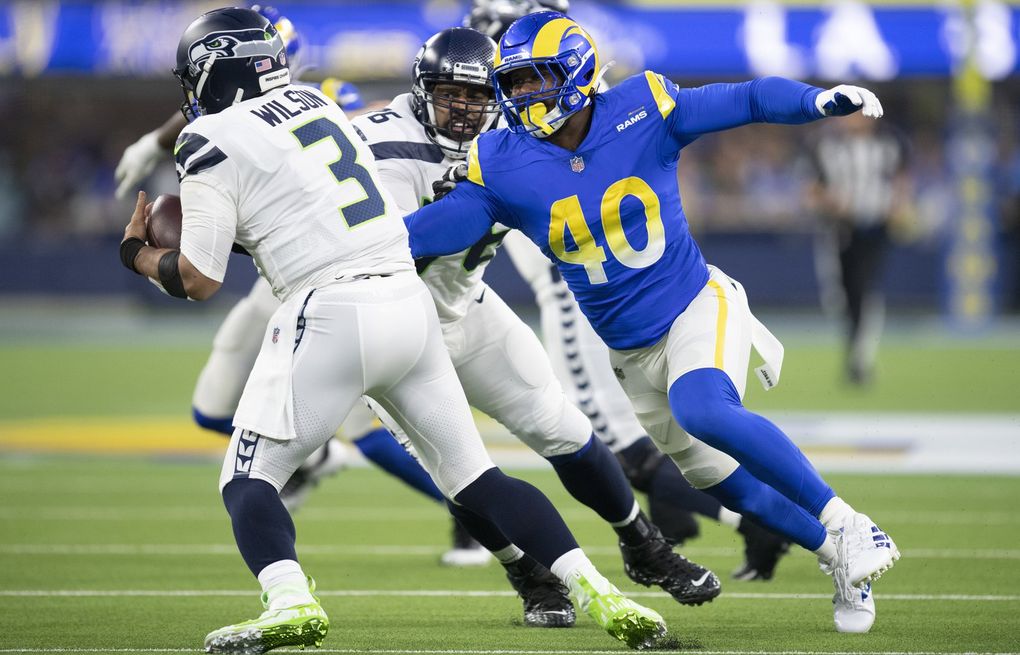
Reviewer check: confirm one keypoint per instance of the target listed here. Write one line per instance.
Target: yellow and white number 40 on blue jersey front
(567, 218)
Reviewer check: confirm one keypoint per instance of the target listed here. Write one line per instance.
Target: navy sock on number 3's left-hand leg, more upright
(263, 527)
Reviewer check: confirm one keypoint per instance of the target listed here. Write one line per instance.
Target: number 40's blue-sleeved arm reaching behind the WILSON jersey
(454, 224)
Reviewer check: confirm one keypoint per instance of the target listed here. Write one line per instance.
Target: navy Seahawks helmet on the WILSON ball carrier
(229, 56)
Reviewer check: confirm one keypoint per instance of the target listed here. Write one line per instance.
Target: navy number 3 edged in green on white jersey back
(345, 168)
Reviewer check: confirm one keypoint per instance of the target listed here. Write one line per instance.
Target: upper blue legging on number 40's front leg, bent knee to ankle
(706, 405)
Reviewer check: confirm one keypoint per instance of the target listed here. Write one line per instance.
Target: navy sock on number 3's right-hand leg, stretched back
(522, 513)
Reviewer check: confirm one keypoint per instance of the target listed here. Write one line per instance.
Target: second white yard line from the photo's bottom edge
(453, 593)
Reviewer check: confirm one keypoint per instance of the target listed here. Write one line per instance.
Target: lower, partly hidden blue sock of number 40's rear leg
(743, 493)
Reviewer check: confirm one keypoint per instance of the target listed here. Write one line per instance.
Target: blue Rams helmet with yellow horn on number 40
(565, 60)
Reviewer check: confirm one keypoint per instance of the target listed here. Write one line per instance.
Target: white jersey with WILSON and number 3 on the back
(287, 177)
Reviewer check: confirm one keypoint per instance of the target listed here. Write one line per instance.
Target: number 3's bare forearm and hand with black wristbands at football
(169, 268)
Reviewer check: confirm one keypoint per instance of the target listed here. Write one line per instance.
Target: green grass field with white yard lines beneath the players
(131, 555)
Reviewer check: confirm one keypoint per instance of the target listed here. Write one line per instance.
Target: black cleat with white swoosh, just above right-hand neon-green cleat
(652, 562)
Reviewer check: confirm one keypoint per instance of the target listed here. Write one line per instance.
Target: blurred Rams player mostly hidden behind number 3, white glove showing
(240, 337)
